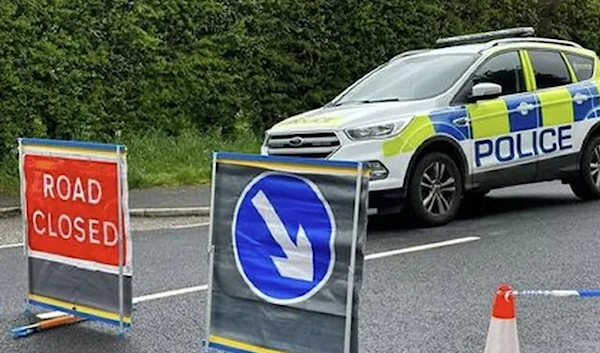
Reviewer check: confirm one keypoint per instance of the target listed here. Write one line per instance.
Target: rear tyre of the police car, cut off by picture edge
(587, 184)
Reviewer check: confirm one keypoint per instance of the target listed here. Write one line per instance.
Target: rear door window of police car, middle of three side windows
(549, 68)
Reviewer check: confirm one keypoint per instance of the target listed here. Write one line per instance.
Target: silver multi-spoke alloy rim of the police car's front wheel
(438, 187)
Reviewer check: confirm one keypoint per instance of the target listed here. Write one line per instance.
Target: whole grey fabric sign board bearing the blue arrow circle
(286, 254)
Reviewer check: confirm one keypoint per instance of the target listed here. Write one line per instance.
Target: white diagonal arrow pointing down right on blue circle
(298, 263)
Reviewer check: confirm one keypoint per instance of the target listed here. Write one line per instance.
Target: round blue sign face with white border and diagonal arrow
(283, 238)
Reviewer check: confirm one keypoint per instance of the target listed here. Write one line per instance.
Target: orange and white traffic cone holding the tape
(502, 333)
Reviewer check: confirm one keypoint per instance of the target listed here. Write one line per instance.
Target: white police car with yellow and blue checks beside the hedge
(446, 124)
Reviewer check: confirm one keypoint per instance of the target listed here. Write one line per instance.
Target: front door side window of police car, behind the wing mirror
(505, 70)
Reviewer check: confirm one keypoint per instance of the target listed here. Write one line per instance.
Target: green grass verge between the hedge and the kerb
(156, 160)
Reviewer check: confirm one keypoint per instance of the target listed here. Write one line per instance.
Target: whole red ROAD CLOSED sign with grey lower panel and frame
(74, 199)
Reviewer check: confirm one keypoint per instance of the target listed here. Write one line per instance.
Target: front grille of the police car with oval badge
(316, 145)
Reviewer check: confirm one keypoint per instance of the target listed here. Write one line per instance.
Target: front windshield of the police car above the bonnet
(410, 78)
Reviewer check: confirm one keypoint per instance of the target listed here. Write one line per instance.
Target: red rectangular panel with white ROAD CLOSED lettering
(73, 208)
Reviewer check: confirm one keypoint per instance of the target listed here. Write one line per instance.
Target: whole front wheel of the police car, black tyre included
(435, 190)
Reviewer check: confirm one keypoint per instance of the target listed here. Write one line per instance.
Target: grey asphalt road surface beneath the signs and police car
(438, 300)
